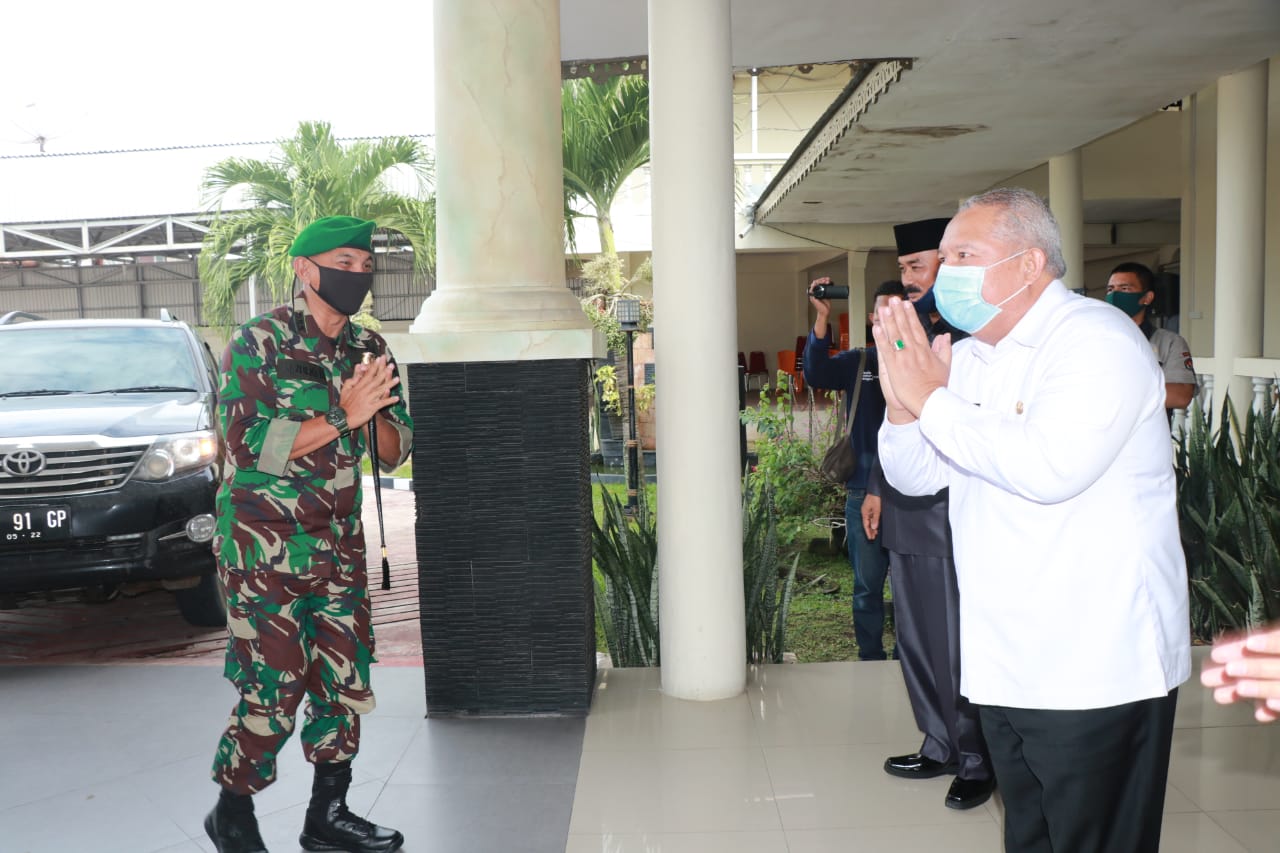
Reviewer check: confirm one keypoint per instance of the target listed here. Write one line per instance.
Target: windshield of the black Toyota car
(95, 361)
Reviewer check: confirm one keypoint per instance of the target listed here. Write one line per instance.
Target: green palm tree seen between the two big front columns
(606, 140)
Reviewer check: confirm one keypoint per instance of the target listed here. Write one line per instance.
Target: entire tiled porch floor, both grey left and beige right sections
(116, 759)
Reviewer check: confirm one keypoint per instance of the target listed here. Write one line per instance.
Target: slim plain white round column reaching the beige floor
(700, 489)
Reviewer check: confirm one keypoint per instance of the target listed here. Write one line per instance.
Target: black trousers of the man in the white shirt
(1082, 782)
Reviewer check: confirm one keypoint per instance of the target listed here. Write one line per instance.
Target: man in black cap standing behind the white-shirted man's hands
(917, 535)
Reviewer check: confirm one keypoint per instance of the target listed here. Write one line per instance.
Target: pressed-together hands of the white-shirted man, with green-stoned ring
(911, 368)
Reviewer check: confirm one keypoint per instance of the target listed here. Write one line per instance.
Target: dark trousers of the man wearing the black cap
(927, 619)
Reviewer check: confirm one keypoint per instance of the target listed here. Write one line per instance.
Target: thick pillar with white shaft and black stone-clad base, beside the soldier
(499, 378)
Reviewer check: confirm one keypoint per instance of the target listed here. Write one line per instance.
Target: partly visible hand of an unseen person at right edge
(1245, 668)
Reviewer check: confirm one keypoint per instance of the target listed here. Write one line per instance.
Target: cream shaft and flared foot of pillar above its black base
(501, 290)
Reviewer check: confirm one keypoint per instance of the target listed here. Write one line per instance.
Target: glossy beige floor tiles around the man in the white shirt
(660, 776)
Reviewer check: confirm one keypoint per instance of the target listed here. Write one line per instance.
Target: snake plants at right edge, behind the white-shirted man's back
(1229, 513)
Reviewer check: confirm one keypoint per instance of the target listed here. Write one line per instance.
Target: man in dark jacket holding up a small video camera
(840, 373)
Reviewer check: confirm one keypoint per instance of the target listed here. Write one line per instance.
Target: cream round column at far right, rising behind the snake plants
(1240, 248)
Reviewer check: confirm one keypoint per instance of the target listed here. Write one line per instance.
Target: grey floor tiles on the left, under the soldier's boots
(117, 759)
